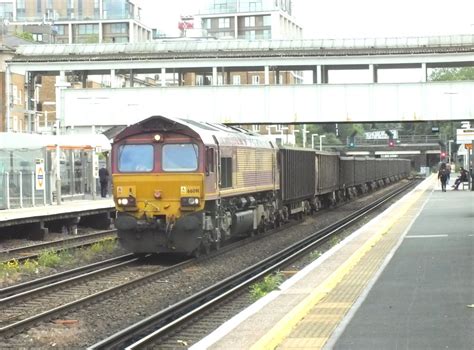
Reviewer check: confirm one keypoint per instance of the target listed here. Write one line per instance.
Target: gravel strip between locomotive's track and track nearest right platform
(85, 327)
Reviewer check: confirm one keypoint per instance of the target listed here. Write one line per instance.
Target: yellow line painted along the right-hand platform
(283, 328)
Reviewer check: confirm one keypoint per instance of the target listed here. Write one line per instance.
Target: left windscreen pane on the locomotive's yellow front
(135, 158)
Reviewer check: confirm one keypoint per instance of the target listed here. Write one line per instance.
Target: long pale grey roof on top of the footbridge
(205, 48)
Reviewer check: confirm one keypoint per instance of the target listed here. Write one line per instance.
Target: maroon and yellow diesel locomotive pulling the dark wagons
(184, 186)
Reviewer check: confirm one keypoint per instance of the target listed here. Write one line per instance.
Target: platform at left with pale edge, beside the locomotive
(98, 212)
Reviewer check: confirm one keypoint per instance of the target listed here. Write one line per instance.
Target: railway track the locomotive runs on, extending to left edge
(24, 305)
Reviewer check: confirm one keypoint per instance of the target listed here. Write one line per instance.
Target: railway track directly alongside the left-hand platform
(33, 251)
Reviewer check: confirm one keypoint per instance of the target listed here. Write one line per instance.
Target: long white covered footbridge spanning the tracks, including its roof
(250, 82)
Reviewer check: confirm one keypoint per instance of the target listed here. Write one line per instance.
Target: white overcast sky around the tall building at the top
(344, 18)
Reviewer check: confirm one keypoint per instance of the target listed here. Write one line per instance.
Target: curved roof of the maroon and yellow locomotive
(209, 133)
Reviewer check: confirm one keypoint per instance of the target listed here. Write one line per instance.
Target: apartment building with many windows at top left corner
(76, 21)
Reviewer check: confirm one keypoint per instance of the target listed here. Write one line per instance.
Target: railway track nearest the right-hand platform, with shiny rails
(167, 326)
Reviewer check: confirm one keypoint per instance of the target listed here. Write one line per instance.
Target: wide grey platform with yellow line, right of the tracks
(403, 280)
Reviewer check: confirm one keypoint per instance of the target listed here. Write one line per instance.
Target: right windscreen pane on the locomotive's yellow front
(180, 157)
